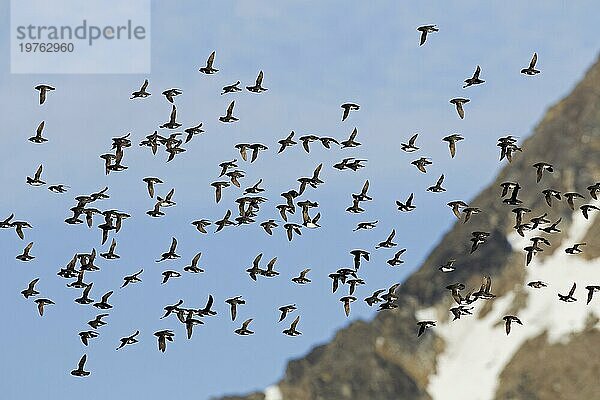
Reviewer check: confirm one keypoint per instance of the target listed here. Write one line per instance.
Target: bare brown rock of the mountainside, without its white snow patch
(383, 359)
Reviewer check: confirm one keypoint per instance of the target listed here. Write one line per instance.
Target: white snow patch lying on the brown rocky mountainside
(482, 344)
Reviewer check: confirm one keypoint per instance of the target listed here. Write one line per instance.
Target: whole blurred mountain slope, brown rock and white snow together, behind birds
(472, 357)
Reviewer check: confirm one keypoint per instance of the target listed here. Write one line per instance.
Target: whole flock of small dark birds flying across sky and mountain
(86, 210)
